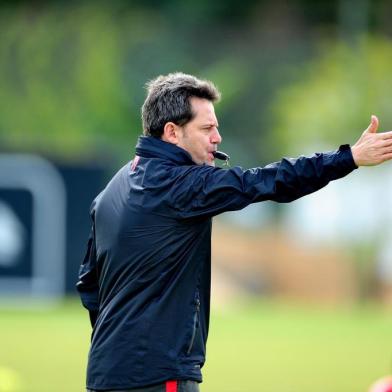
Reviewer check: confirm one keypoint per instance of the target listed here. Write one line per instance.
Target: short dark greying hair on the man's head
(168, 100)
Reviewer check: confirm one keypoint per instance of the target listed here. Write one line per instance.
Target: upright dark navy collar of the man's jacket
(152, 147)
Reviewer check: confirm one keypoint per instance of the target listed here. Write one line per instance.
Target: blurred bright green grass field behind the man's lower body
(256, 346)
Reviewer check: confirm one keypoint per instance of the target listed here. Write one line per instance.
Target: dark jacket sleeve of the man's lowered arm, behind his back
(87, 284)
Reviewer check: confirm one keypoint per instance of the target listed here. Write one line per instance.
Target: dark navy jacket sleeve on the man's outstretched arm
(208, 191)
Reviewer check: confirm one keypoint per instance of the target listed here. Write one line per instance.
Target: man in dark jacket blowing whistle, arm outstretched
(146, 276)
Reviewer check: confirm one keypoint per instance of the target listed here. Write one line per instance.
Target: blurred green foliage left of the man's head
(61, 81)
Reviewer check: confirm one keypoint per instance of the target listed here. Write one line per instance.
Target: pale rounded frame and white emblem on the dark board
(42, 180)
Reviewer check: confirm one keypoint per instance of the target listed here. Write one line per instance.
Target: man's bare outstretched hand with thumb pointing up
(372, 148)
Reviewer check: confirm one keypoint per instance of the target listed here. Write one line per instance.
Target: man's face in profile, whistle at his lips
(200, 137)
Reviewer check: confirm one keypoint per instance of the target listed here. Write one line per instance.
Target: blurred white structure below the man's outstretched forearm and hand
(353, 210)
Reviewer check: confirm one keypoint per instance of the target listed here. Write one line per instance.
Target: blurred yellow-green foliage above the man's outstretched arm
(331, 101)
